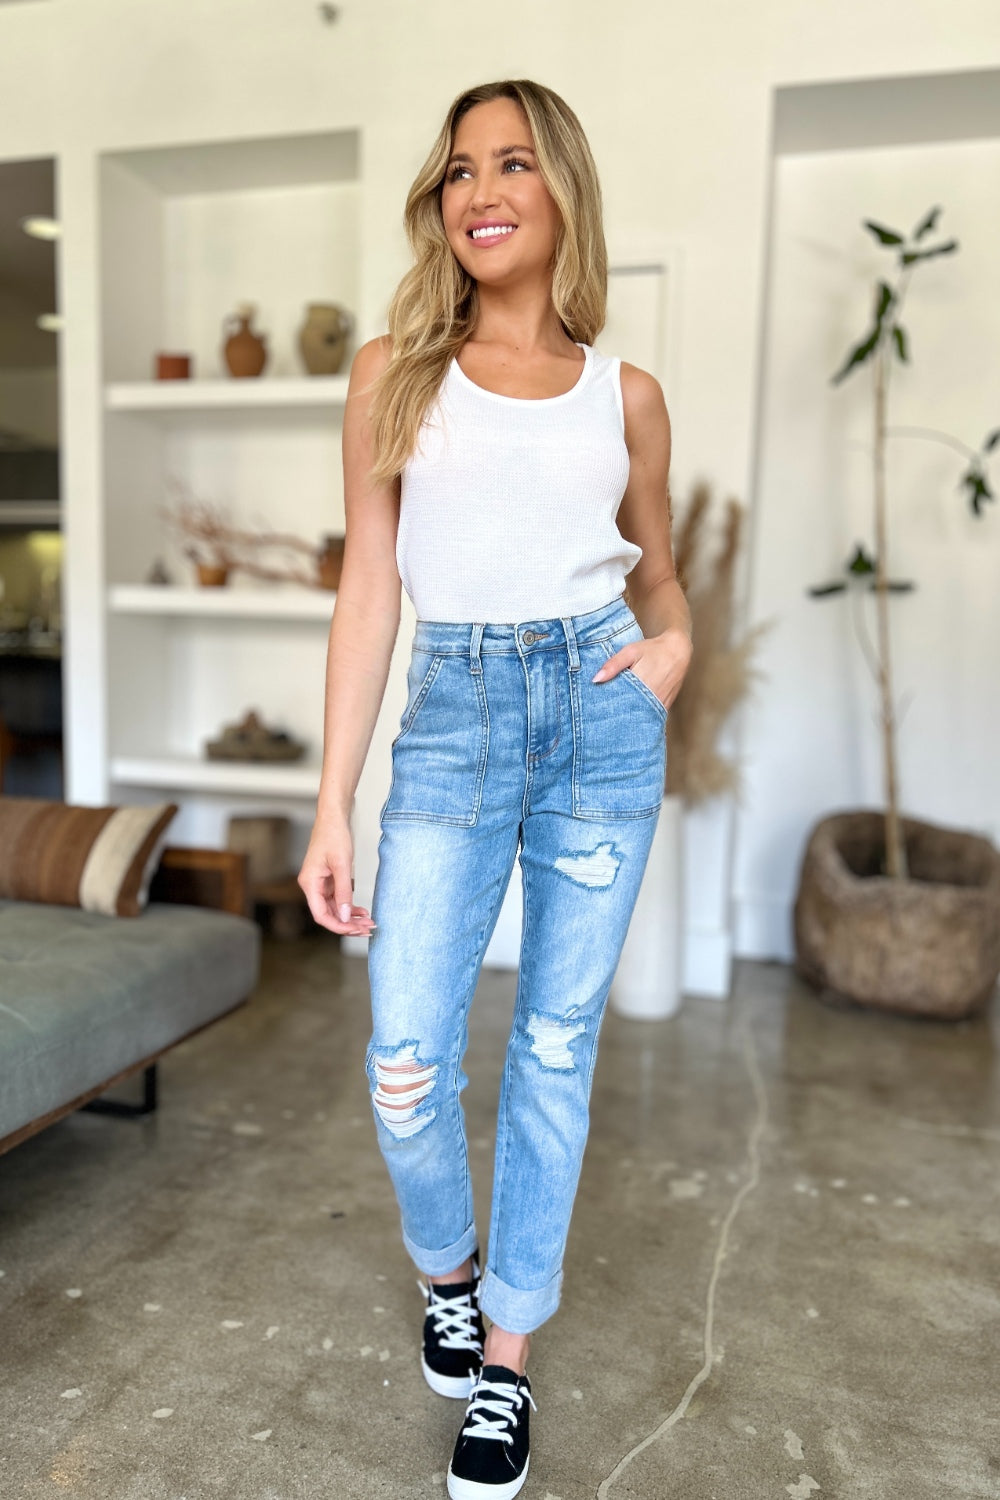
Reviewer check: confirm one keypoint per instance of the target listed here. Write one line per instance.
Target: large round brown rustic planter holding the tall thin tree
(929, 946)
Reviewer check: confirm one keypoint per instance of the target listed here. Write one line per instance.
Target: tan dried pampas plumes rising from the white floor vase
(720, 671)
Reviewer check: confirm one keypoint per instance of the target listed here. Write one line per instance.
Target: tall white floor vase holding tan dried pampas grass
(650, 974)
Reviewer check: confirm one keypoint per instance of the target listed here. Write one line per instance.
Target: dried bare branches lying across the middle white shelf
(208, 538)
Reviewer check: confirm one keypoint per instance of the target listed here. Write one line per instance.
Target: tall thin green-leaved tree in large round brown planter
(891, 911)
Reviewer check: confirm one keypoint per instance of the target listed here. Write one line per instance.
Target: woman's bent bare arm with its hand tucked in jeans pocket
(644, 518)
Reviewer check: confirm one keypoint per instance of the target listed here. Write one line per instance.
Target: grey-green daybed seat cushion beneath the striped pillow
(86, 997)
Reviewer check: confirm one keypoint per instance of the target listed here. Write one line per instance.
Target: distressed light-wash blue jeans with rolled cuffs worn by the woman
(506, 748)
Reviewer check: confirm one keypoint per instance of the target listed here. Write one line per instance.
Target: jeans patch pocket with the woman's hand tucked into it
(621, 754)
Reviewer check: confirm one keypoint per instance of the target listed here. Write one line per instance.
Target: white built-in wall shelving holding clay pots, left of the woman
(188, 233)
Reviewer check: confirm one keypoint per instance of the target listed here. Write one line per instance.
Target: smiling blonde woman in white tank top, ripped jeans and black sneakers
(510, 478)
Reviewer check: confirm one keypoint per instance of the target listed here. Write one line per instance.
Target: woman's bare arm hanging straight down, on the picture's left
(362, 638)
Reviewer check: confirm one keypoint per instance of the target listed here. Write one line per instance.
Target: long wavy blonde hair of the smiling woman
(436, 307)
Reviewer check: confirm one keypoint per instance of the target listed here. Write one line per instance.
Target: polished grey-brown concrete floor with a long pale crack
(782, 1280)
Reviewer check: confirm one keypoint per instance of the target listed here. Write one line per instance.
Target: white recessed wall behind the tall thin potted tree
(812, 734)
